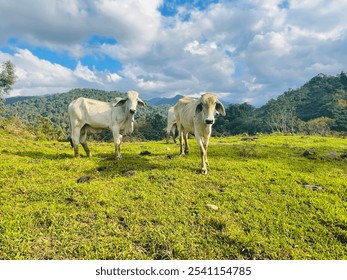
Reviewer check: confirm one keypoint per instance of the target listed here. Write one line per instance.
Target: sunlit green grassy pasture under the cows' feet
(157, 206)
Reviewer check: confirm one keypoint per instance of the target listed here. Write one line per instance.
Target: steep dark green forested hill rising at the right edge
(322, 97)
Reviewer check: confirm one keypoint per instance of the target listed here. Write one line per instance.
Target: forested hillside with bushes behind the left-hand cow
(52, 111)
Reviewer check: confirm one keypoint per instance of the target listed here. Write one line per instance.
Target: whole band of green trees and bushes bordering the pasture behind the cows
(318, 107)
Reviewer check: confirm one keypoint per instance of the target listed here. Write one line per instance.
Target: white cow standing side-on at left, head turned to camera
(93, 115)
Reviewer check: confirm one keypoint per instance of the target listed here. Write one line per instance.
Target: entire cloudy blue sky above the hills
(244, 51)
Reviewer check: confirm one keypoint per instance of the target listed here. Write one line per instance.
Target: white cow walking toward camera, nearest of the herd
(197, 116)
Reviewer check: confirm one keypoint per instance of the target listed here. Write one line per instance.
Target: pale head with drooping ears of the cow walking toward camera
(208, 104)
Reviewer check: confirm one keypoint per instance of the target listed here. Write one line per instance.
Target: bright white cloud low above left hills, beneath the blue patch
(37, 76)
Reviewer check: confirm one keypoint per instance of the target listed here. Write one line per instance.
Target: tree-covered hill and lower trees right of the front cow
(318, 107)
